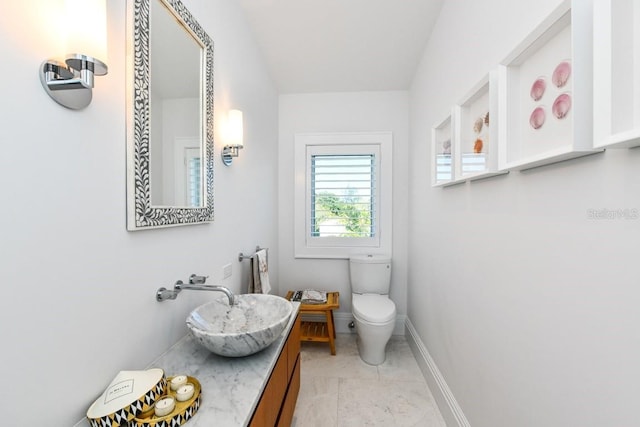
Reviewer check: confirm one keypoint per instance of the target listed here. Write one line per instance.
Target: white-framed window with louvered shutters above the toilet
(343, 204)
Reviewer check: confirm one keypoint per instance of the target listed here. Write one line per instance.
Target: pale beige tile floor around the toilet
(343, 391)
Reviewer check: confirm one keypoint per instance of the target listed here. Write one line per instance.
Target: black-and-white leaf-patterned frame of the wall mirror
(141, 214)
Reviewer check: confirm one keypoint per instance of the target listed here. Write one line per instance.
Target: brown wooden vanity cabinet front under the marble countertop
(279, 397)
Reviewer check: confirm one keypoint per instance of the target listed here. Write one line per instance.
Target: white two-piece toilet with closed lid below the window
(374, 312)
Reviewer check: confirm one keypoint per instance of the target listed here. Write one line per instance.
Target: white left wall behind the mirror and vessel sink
(78, 303)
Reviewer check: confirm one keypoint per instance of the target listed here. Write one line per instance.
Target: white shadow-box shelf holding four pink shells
(545, 92)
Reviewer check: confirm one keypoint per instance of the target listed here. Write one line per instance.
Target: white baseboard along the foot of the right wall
(449, 408)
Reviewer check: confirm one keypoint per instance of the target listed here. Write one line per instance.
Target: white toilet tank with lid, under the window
(370, 274)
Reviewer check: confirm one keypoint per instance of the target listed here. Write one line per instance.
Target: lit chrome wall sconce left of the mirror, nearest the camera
(70, 83)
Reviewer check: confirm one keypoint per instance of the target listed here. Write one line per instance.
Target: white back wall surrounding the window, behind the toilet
(341, 112)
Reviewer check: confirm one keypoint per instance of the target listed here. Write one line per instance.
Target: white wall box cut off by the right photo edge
(616, 73)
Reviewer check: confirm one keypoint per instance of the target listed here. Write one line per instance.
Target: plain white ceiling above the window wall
(341, 45)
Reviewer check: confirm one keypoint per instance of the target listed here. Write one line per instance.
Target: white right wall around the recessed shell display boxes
(528, 307)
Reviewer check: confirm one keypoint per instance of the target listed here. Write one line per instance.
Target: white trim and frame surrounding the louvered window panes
(306, 246)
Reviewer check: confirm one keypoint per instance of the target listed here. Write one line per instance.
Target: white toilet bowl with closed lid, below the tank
(375, 318)
